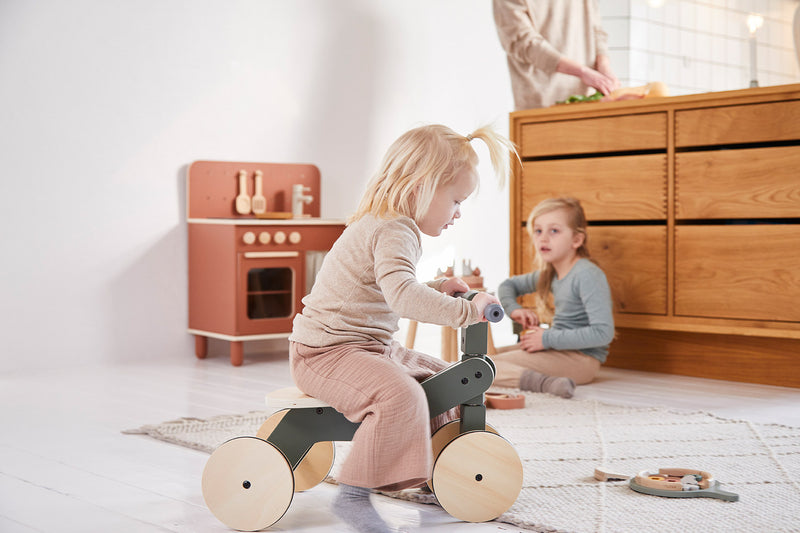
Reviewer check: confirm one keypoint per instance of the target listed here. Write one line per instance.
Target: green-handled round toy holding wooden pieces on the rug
(680, 483)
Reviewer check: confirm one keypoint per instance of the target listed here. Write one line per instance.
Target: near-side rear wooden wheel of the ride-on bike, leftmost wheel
(248, 484)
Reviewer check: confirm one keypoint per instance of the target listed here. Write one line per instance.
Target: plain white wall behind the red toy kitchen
(103, 104)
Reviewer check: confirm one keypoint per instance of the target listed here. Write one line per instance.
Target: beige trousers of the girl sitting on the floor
(512, 360)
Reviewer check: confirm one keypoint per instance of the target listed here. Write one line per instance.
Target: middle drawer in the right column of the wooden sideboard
(754, 183)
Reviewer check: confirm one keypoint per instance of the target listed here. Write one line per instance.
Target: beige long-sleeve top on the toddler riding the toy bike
(368, 282)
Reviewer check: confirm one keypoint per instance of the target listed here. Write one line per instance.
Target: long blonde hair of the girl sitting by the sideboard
(576, 219)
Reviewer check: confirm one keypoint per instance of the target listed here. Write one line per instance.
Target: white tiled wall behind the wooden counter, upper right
(700, 45)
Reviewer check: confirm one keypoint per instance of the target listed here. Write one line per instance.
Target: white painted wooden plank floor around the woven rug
(65, 466)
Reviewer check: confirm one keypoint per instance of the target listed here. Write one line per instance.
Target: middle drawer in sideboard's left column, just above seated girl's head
(610, 188)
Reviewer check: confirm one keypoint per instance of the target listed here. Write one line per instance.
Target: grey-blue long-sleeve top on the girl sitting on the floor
(583, 318)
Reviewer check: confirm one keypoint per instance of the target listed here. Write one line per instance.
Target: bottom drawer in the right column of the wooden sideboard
(738, 271)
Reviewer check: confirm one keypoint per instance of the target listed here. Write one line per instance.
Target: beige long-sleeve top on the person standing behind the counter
(535, 35)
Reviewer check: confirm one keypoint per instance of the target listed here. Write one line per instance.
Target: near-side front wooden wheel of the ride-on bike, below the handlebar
(477, 476)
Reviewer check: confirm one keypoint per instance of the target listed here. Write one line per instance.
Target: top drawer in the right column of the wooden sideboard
(774, 121)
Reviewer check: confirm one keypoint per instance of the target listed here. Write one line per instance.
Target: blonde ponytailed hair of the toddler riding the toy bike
(422, 160)
